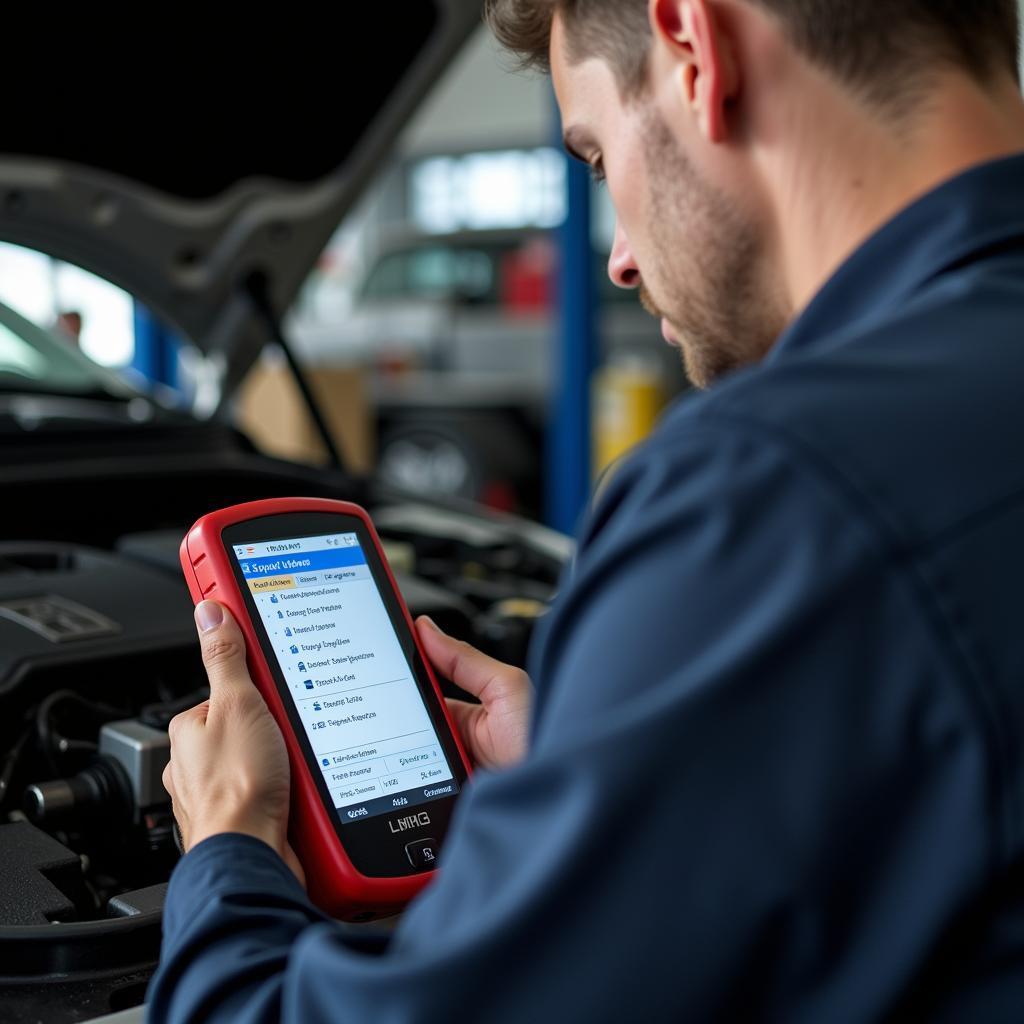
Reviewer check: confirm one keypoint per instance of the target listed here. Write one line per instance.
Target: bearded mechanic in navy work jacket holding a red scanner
(776, 765)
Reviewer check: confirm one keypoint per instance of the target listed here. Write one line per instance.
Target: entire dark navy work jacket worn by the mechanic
(778, 759)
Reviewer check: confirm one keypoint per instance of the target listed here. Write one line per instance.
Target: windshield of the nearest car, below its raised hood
(37, 361)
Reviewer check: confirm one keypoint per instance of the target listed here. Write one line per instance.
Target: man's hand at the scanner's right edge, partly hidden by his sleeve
(496, 731)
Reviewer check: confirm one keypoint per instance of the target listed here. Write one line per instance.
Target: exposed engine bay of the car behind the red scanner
(99, 652)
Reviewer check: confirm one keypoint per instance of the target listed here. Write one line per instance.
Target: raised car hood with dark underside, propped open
(185, 160)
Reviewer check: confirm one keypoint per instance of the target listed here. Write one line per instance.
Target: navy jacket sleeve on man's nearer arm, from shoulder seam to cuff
(756, 791)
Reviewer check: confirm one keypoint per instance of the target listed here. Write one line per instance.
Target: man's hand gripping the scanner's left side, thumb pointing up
(229, 770)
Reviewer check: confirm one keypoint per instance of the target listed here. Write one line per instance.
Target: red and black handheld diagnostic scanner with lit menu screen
(376, 761)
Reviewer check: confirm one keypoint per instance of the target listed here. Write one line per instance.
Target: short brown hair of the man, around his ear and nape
(882, 49)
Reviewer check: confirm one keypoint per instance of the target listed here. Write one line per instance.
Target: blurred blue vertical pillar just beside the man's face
(569, 449)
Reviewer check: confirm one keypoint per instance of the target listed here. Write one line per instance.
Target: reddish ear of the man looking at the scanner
(706, 57)
